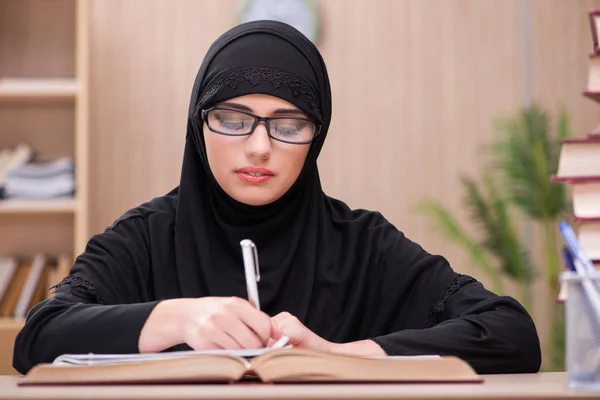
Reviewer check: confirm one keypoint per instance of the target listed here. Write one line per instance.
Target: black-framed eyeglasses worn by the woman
(227, 121)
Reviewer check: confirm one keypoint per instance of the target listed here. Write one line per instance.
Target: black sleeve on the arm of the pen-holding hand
(100, 308)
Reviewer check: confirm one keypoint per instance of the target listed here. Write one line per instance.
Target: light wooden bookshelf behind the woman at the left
(44, 104)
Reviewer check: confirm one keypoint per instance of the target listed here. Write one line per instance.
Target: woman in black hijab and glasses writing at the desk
(169, 274)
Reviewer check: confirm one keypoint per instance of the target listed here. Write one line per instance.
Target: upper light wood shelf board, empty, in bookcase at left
(38, 88)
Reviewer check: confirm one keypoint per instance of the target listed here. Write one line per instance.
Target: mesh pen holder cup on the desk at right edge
(582, 308)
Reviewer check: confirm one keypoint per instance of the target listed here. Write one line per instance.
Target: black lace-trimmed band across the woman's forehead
(257, 75)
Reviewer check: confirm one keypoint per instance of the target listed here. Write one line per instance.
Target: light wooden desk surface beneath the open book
(528, 386)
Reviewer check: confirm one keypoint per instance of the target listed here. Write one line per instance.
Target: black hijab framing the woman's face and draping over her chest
(258, 57)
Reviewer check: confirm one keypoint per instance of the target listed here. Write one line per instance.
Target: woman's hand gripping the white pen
(206, 323)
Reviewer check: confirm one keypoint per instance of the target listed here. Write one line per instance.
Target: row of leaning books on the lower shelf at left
(26, 282)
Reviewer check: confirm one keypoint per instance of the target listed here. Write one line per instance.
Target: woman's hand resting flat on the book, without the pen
(302, 337)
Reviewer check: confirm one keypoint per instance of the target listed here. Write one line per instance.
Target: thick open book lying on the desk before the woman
(268, 365)
